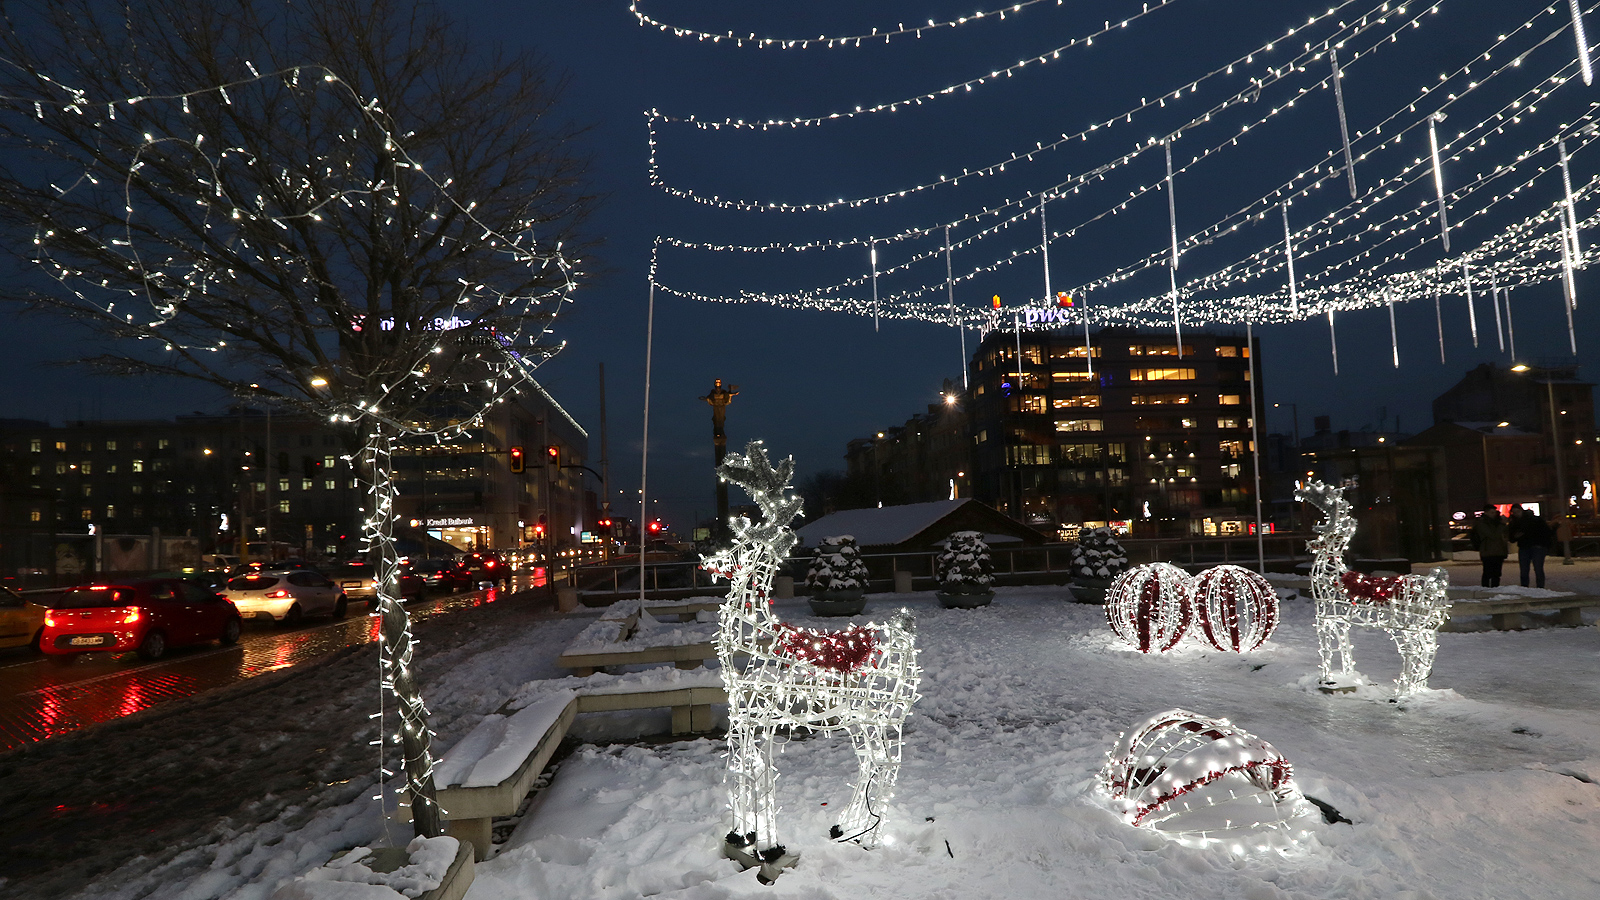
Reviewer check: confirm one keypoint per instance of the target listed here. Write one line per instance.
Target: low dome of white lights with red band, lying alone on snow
(1204, 782)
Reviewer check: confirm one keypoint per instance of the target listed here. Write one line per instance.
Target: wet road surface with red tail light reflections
(42, 699)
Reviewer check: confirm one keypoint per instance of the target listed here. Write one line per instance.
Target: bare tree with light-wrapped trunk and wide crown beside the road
(330, 209)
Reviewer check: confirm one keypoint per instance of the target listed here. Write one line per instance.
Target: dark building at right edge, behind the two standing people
(1508, 433)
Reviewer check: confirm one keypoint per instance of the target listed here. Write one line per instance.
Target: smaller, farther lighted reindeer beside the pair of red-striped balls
(1409, 608)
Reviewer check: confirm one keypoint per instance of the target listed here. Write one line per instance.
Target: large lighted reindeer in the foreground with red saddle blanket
(782, 678)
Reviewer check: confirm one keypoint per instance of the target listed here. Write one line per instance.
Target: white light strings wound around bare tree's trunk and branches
(486, 339)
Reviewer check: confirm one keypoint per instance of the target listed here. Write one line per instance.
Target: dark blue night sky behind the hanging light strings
(814, 380)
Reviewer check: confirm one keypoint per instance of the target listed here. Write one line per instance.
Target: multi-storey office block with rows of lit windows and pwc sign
(1116, 430)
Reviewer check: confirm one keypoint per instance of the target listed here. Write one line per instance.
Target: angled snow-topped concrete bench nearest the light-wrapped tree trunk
(470, 811)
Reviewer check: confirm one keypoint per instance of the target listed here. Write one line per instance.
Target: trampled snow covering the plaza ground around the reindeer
(1484, 787)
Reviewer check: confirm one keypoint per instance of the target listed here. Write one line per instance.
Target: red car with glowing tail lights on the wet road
(146, 616)
